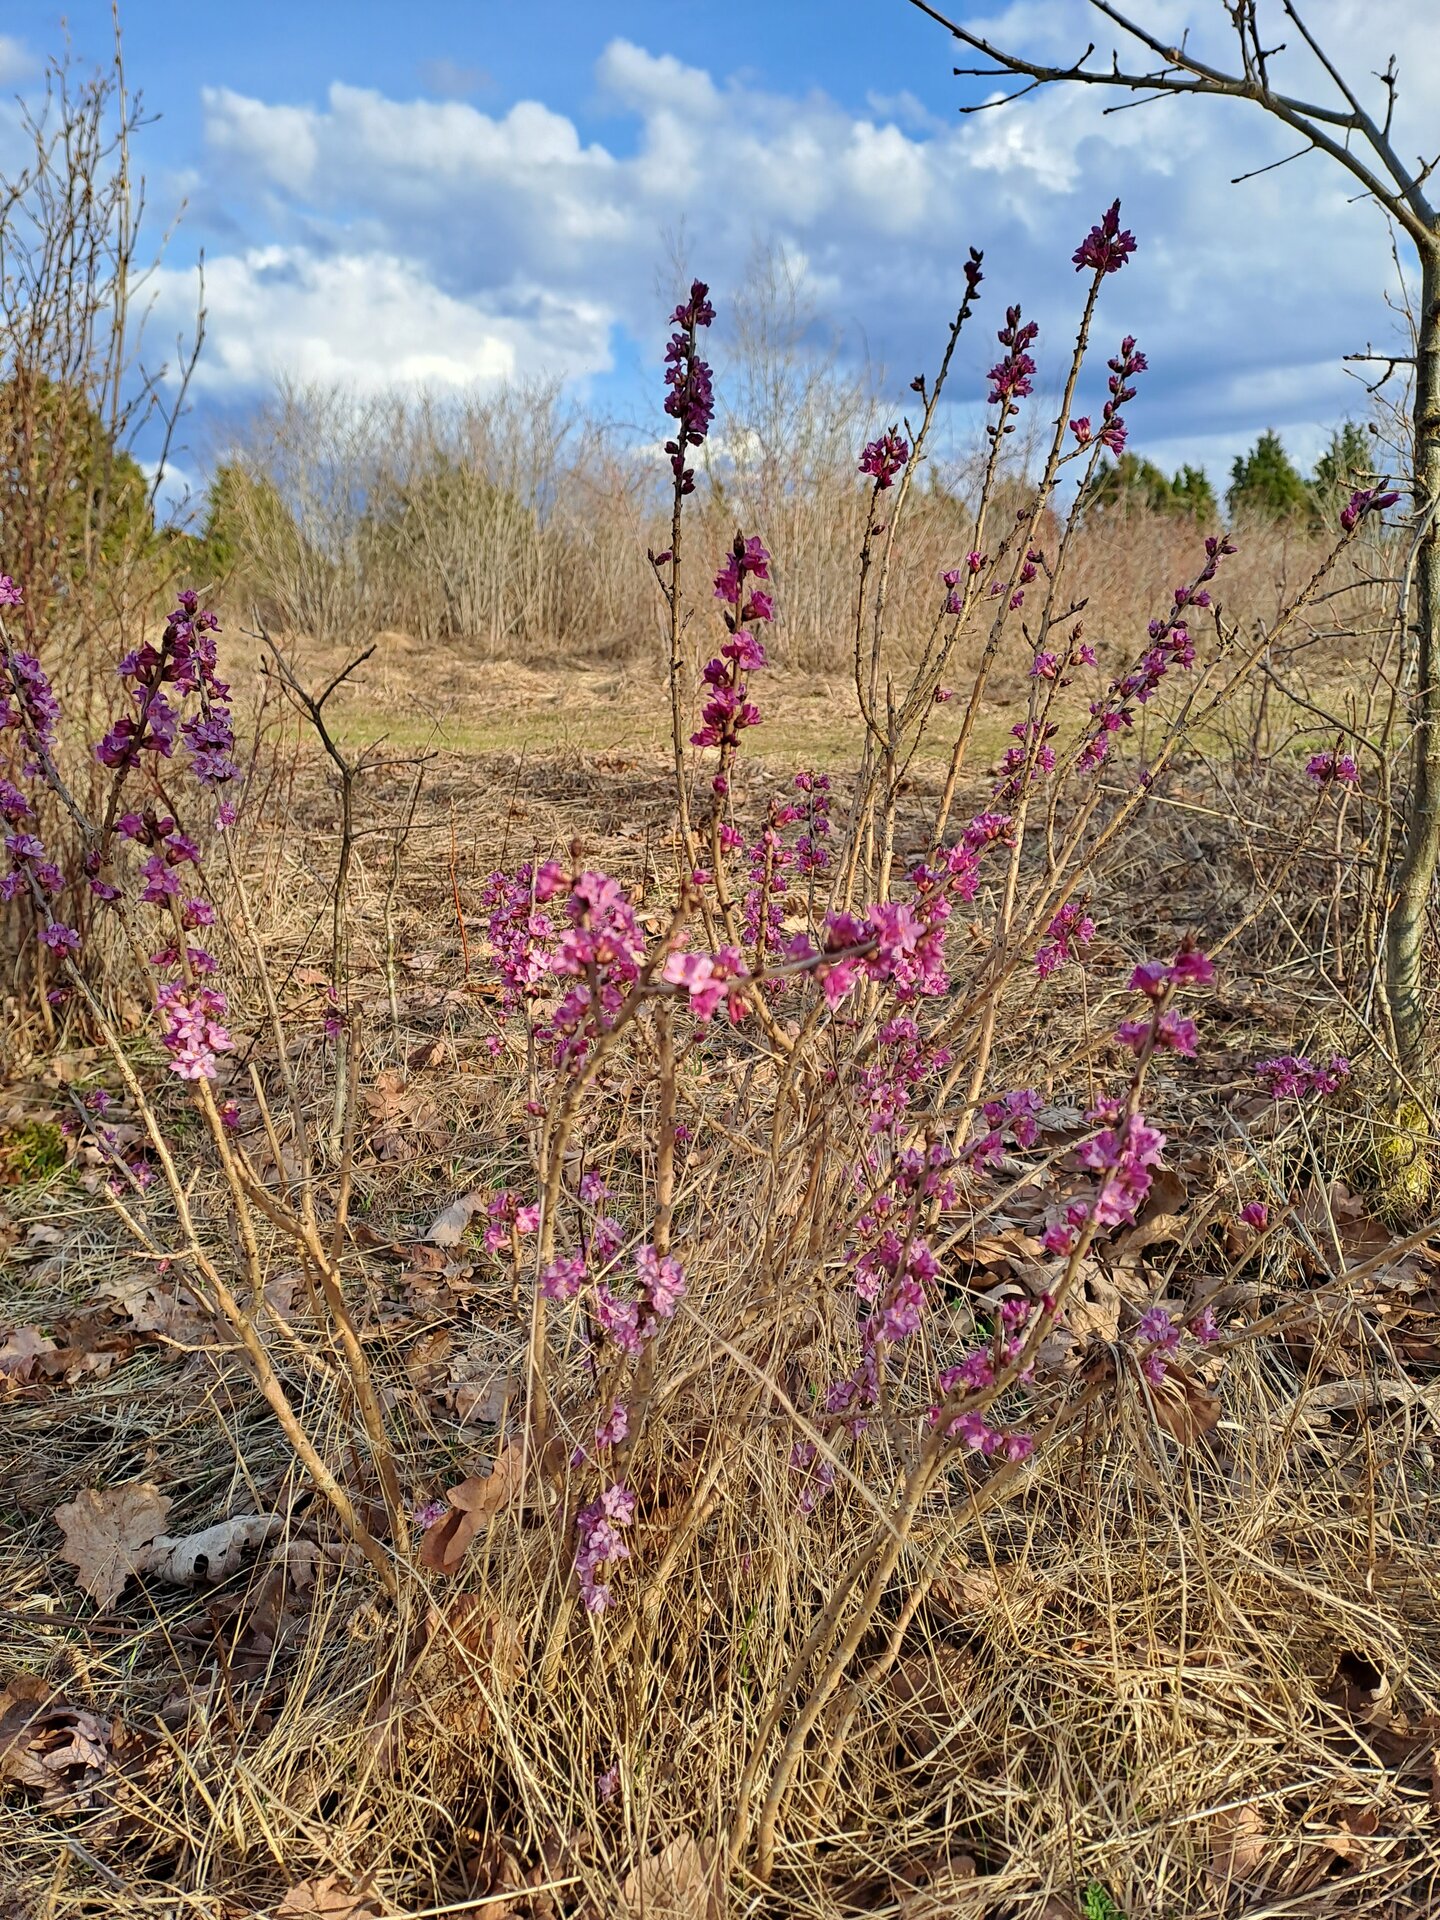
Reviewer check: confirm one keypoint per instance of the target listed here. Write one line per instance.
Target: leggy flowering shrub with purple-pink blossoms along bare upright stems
(882, 965)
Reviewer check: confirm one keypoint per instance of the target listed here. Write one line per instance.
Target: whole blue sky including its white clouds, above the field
(450, 195)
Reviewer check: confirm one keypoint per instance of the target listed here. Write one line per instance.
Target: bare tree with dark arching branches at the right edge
(1360, 141)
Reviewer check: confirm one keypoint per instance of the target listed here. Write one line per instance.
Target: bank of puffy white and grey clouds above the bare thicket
(433, 243)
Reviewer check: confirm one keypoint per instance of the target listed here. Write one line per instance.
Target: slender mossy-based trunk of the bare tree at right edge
(1408, 1163)
